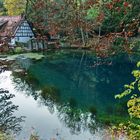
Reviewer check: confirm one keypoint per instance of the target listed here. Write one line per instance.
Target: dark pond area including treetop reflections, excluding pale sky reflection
(80, 87)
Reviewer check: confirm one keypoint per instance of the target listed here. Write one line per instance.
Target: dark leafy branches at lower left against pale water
(8, 122)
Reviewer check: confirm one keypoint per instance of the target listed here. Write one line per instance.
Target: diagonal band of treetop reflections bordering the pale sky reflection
(68, 112)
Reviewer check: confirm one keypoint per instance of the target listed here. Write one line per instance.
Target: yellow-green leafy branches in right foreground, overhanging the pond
(132, 129)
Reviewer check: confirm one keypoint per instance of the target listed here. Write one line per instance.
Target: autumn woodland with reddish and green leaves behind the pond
(97, 24)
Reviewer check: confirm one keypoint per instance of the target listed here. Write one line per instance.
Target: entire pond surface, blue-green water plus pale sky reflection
(78, 97)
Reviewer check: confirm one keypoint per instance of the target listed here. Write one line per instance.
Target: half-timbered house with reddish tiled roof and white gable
(15, 29)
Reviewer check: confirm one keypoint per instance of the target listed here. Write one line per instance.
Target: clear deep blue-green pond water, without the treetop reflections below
(84, 79)
